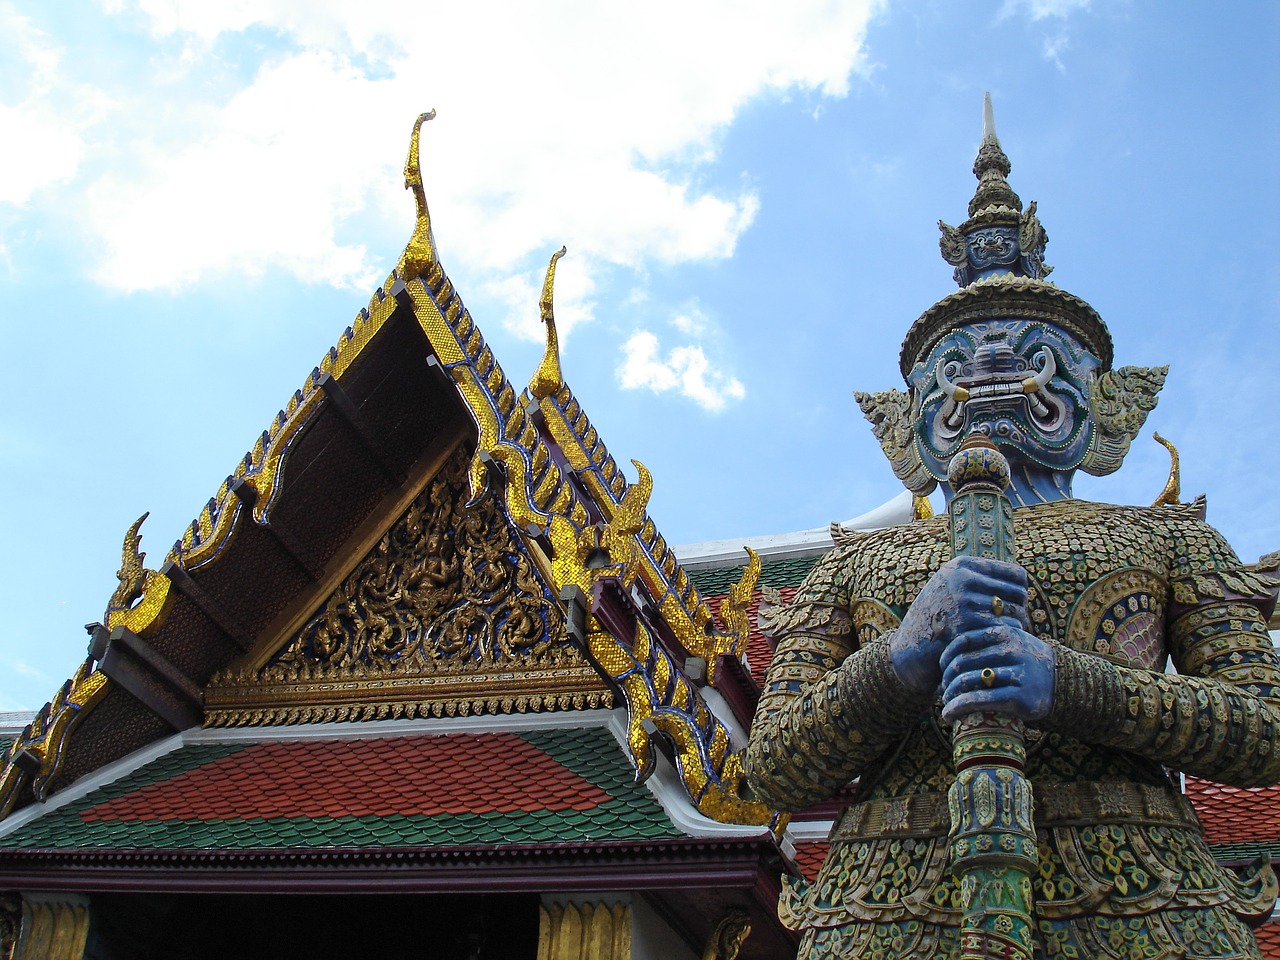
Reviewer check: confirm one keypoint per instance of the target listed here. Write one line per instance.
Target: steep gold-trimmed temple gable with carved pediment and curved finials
(405, 442)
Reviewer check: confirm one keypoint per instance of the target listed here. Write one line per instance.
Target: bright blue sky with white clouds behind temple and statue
(195, 200)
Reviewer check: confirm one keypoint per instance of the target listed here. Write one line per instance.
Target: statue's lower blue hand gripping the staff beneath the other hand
(999, 669)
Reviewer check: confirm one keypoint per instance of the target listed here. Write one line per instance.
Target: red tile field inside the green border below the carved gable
(426, 776)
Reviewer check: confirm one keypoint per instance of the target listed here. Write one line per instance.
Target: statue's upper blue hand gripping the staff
(957, 602)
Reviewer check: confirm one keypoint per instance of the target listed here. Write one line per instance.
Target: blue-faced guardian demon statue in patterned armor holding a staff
(1023, 639)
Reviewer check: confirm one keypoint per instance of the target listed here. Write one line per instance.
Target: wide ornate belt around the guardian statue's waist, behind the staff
(1057, 806)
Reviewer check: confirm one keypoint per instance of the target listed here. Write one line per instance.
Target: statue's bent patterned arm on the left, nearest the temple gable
(829, 708)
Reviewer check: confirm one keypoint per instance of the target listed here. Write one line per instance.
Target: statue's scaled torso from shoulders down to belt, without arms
(1099, 584)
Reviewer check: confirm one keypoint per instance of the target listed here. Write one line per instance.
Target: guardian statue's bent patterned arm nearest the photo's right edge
(1219, 717)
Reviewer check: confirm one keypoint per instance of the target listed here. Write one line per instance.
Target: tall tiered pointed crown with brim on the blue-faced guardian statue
(999, 260)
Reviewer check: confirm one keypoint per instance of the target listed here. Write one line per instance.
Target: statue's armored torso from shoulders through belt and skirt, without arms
(1100, 583)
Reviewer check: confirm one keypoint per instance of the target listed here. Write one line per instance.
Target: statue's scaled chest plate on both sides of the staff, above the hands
(1095, 586)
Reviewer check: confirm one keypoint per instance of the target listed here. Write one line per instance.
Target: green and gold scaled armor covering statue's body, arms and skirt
(1123, 866)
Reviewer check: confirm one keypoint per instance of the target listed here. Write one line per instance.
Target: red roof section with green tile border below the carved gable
(537, 787)
